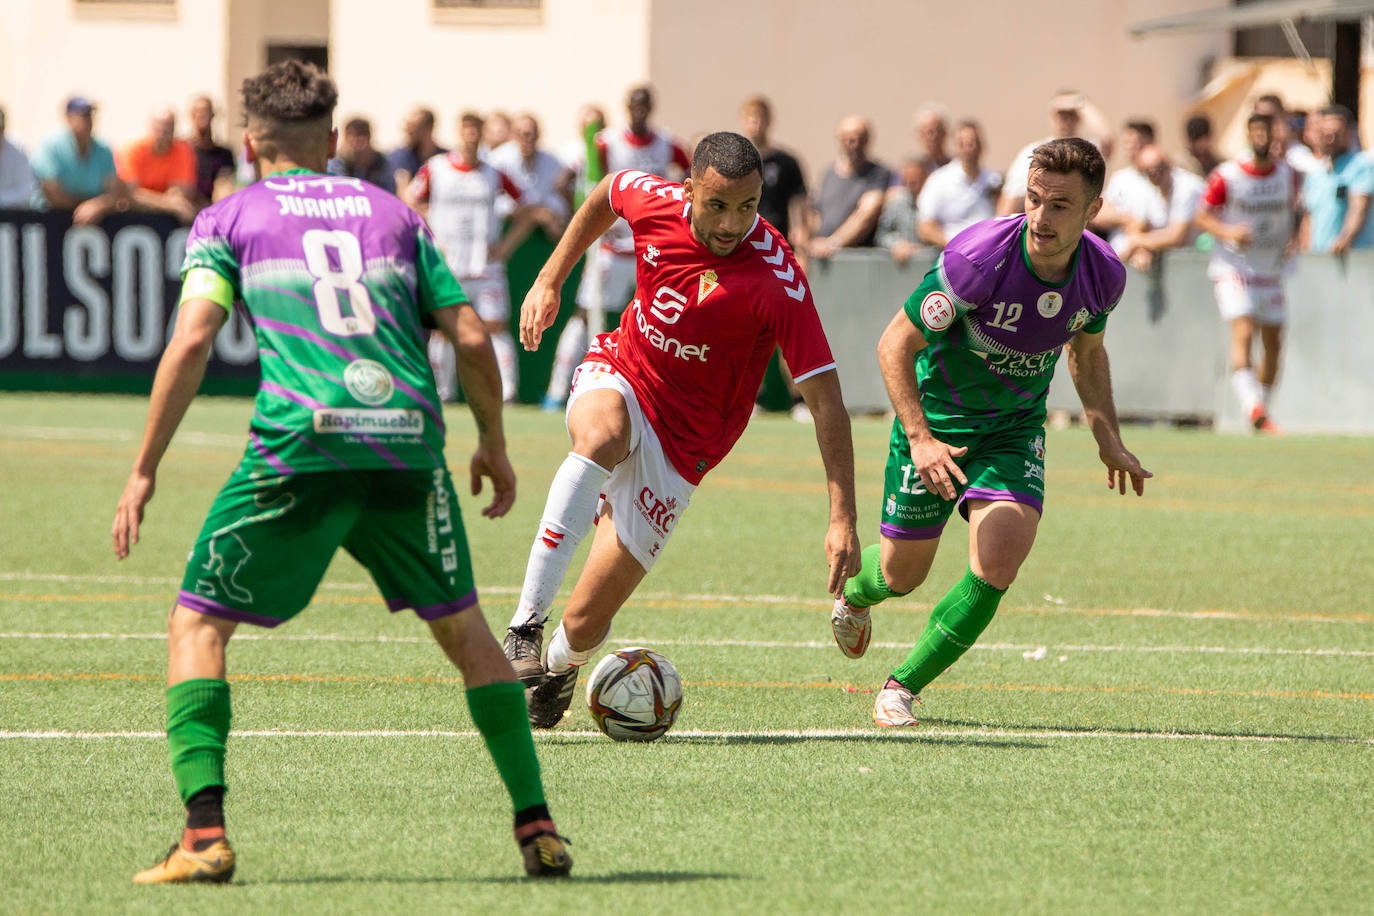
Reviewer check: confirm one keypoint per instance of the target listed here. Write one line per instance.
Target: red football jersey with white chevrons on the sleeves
(697, 340)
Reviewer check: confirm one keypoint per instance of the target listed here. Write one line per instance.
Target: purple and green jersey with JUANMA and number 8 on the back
(337, 277)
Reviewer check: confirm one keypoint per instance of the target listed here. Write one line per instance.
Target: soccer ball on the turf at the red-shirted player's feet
(634, 694)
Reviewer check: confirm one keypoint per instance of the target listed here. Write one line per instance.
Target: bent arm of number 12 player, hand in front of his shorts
(935, 461)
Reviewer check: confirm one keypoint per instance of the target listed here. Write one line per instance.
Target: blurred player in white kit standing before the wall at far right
(1251, 207)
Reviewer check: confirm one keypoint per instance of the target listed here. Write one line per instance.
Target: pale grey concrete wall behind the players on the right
(1167, 344)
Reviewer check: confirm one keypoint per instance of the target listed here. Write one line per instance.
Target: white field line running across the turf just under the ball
(692, 734)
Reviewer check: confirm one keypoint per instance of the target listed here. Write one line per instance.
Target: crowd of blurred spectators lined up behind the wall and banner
(859, 203)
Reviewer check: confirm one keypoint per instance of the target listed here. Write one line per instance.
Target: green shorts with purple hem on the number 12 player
(1008, 465)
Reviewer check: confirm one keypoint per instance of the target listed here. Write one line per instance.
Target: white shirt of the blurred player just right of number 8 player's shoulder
(464, 209)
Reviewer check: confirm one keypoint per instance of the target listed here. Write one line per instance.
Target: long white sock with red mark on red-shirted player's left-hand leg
(568, 517)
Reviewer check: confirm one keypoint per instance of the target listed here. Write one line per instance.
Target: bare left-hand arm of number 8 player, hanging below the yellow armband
(174, 387)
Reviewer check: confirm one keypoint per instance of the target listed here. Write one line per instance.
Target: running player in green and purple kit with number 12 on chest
(968, 363)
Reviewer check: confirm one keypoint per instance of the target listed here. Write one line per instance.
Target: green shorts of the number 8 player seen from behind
(267, 543)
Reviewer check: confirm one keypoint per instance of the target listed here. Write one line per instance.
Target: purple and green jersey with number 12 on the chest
(995, 330)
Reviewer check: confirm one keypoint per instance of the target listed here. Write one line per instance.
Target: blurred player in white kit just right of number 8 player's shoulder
(460, 194)
